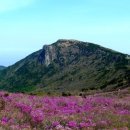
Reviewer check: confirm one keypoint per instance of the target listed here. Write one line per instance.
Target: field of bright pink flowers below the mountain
(28, 112)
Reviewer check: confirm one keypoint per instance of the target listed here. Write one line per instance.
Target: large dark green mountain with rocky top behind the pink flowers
(68, 66)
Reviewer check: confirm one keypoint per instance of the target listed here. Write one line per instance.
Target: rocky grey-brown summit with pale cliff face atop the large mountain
(64, 51)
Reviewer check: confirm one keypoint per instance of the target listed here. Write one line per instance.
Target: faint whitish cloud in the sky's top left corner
(9, 5)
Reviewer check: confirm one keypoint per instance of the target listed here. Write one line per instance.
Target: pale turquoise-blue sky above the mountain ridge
(26, 25)
